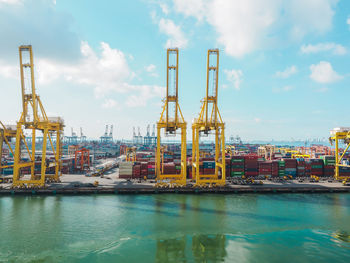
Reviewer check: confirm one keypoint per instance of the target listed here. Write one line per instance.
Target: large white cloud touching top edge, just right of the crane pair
(240, 24)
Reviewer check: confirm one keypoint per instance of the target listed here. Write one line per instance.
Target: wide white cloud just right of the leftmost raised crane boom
(106, 72)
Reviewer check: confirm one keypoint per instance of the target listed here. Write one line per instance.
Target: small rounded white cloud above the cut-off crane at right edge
(324, 73)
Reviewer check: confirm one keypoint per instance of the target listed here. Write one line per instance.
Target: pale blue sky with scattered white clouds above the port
(284, 65)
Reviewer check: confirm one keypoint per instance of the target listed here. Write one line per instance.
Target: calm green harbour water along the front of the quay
(176, 228)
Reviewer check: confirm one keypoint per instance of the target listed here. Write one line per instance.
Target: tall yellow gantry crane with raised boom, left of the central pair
(33, 119)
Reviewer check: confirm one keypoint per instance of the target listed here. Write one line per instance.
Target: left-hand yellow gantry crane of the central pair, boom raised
(171, 120)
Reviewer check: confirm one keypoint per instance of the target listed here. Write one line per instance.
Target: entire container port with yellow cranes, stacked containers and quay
(36, 158)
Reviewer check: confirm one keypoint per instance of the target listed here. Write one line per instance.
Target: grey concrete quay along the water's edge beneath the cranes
(110, 184)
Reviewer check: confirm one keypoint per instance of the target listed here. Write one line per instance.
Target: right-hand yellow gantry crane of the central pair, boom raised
(210, 121)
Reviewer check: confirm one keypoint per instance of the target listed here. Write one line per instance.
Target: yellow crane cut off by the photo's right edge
(340, 135)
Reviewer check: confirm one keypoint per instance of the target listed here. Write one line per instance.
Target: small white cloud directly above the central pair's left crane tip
(176, 36)
